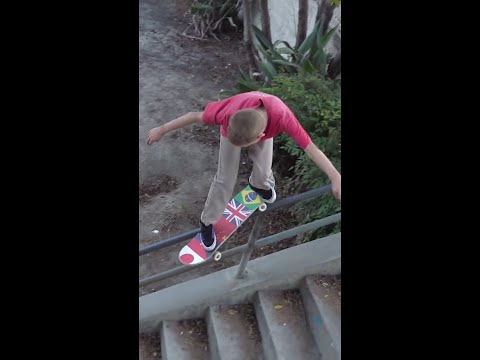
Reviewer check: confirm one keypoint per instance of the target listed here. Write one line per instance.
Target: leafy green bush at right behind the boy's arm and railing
(316, 102)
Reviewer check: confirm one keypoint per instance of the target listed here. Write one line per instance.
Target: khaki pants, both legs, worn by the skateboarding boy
(221, 190)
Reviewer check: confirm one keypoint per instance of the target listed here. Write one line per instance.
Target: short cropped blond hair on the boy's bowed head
(244, 126)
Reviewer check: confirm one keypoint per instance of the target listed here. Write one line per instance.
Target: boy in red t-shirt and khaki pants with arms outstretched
(251, 120)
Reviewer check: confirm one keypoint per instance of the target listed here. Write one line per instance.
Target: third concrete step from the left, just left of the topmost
(284, 330)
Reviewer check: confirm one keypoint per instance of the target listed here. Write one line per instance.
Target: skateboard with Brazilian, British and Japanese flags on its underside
(238, 210)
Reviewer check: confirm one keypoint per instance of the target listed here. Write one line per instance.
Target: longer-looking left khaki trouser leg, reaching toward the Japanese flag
(221, 189)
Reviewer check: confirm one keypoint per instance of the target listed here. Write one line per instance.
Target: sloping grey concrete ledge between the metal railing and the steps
(282, 270)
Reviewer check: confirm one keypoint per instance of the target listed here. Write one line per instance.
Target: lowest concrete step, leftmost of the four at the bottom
(184, 340)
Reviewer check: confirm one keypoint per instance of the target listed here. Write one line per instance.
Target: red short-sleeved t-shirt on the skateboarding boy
(280, 117)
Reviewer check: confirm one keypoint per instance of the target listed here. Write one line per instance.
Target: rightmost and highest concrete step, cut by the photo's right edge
(323, 316)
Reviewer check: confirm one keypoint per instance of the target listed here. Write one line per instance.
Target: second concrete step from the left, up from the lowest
(233, 333)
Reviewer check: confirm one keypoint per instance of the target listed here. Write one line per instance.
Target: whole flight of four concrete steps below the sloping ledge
(289, 324)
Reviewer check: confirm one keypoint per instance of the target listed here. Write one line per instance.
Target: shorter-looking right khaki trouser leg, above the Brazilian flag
(261, 155)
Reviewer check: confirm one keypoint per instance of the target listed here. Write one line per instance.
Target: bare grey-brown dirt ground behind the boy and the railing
(177, 75)
